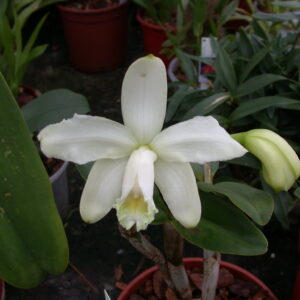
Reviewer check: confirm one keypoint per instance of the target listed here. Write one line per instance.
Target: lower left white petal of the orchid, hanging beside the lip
(102, 188)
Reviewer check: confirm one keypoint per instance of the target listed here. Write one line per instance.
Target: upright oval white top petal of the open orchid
(144, 97)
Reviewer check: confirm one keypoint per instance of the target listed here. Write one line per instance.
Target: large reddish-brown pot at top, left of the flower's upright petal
(97, 38)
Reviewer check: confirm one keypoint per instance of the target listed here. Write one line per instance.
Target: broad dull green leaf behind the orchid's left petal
(52, 107)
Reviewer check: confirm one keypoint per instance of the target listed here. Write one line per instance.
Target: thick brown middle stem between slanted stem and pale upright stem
(173, 246)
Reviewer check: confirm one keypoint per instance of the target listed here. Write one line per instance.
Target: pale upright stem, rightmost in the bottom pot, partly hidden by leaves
(211, 260)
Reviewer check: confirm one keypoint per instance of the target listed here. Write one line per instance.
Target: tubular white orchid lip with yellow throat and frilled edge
(136, 205)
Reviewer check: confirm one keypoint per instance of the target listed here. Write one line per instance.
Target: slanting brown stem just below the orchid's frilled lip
(140, 243)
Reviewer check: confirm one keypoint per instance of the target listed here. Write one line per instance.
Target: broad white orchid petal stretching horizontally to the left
(84, 138)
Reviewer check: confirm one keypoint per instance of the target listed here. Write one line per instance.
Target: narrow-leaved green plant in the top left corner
(15, 53)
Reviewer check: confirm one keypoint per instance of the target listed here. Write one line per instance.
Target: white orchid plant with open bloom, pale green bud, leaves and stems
(130, 158)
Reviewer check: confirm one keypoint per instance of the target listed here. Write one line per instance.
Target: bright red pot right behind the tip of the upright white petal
(154, 37)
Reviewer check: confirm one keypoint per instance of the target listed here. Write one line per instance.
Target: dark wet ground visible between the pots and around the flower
(99, 257)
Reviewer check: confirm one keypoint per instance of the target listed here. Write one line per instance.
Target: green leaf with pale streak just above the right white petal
(207, 105)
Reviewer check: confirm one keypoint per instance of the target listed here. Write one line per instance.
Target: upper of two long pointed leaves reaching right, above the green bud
(257, 82)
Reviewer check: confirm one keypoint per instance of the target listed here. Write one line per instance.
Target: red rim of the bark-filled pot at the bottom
(134, 285)
